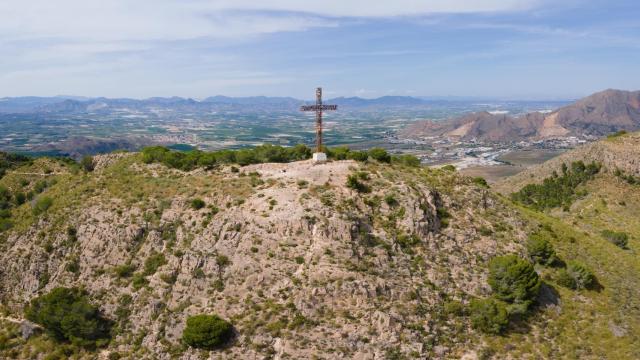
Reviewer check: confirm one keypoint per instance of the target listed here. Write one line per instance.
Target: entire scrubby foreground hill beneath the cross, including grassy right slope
(349, 259)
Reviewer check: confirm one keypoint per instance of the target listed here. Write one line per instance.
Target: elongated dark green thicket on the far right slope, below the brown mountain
(557, 190)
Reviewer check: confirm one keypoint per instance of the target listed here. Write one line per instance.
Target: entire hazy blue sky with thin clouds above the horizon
(195, 48)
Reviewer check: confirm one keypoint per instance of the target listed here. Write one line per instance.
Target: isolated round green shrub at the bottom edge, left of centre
(207, 332)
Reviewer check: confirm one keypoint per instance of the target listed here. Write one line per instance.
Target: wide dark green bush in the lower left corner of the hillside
(67, 315)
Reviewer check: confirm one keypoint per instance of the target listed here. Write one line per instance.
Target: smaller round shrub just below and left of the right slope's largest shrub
(489, 316)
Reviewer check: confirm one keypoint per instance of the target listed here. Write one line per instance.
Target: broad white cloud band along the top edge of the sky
(185, 19)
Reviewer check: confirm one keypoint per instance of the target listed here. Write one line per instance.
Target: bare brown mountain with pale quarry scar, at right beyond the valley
(596, 115)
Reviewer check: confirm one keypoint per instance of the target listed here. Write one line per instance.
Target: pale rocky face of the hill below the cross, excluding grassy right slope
(302, 265)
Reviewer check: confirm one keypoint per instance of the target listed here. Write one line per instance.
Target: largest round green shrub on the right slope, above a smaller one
(513, 279)
